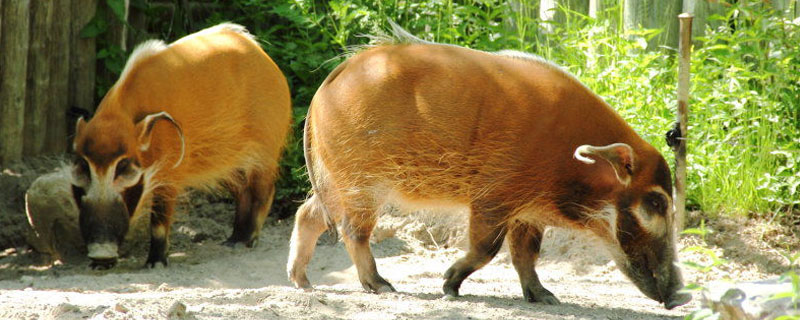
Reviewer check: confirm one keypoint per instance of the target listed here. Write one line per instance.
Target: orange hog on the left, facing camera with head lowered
(209, 111)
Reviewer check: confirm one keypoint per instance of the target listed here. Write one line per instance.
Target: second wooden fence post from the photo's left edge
(39, 70)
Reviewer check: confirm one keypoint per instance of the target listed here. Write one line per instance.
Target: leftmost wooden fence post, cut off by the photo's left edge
(13, 69)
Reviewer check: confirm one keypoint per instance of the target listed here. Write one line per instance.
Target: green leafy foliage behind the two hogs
(745, 97)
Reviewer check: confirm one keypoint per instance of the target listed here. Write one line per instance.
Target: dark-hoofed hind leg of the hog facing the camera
(253, 202)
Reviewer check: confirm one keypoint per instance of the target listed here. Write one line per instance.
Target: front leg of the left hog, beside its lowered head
(160, 221)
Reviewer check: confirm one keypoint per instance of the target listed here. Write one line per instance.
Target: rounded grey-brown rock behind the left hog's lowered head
(53, 215)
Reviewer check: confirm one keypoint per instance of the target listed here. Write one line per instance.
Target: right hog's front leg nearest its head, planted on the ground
(524, 243)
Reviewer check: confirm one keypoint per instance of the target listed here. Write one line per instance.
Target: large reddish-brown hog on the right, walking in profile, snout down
(518, 141)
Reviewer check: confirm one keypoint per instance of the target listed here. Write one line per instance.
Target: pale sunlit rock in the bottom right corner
(749, 300)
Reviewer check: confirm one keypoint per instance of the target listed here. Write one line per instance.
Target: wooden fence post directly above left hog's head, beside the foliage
(82, 60)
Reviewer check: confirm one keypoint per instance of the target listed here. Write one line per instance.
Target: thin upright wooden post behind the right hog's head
(685, 49)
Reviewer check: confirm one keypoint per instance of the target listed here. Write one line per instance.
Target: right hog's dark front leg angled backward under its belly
(486, 232)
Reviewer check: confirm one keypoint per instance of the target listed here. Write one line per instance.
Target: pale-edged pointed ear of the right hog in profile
(619, 155)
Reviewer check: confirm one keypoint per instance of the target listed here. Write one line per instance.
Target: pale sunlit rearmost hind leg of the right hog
(309, 224)
